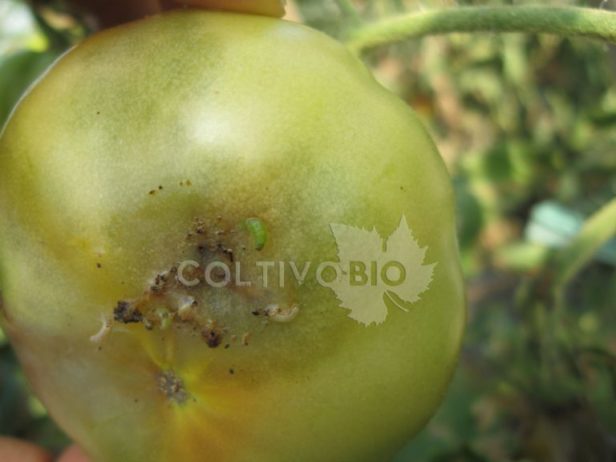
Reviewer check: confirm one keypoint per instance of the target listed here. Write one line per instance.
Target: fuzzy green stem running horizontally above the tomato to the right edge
(563, 21)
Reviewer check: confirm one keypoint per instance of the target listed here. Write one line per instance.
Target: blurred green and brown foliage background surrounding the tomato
(527, 127)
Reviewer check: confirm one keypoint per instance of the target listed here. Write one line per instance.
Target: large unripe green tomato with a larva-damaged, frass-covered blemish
(222, 240)
